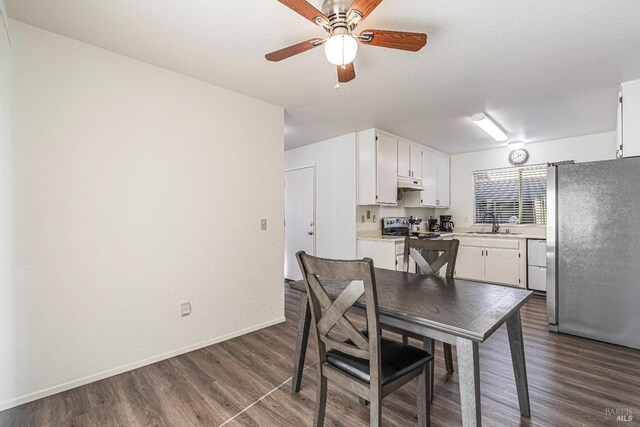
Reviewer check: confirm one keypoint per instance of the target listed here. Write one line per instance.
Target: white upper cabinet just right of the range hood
(435, 180)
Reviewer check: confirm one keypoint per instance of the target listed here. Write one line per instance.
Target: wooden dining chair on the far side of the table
(430, 257)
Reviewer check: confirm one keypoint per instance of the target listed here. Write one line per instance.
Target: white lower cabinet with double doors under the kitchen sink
(492, 260)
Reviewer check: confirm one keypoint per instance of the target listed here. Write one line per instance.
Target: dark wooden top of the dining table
(463, 308)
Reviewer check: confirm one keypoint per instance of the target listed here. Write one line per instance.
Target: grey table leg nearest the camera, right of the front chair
(469, 379)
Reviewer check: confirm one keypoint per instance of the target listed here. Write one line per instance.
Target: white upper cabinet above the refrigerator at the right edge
(630, 119)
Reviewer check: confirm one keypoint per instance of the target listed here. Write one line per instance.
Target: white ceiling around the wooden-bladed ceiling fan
(545, 69)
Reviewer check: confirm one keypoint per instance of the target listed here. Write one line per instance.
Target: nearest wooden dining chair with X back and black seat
(365, 364)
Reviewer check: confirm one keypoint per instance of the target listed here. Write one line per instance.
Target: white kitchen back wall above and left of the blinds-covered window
(581, 149)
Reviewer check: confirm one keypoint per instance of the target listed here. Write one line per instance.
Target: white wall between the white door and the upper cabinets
(335, 161)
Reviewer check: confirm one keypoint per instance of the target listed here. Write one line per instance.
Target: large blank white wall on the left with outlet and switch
(118, 178)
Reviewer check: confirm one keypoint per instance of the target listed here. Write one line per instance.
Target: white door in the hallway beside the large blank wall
(299, 218)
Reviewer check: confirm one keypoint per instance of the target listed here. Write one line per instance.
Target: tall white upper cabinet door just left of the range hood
(387, 171)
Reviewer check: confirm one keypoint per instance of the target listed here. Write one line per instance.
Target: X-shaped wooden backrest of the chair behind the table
(449, 249)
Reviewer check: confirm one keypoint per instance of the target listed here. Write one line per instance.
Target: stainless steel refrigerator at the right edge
(593, 250)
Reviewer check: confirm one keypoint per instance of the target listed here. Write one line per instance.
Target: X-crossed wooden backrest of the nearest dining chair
(359, 278)
